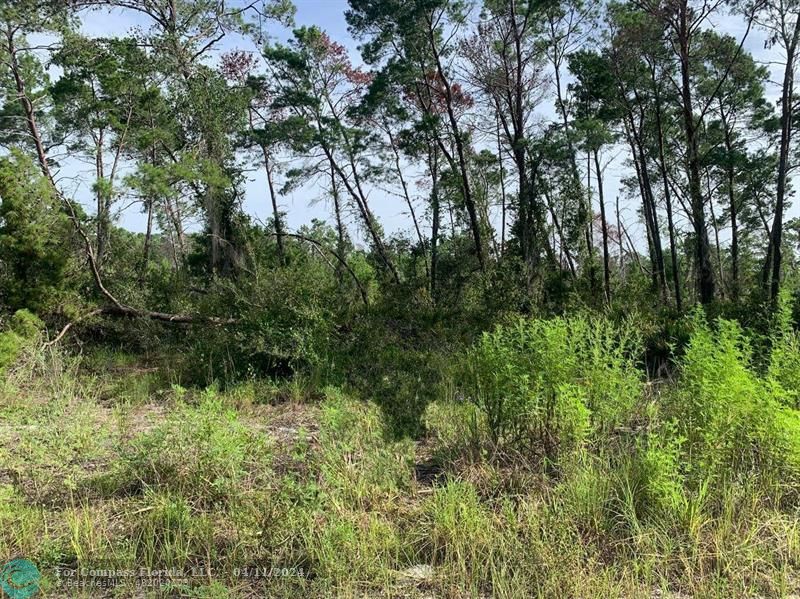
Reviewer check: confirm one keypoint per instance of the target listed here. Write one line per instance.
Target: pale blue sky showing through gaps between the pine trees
(310, 201)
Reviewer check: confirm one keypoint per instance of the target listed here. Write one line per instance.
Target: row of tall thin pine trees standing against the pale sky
(490, 124)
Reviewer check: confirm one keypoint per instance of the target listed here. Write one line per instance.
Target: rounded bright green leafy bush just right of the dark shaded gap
(549, 385)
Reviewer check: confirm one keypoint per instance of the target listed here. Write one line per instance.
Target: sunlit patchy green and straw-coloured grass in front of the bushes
(275, 490)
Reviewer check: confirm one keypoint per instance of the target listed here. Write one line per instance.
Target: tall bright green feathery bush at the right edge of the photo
(733, 419)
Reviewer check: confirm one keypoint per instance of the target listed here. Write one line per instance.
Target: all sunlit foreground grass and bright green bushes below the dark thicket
(548, 465)
